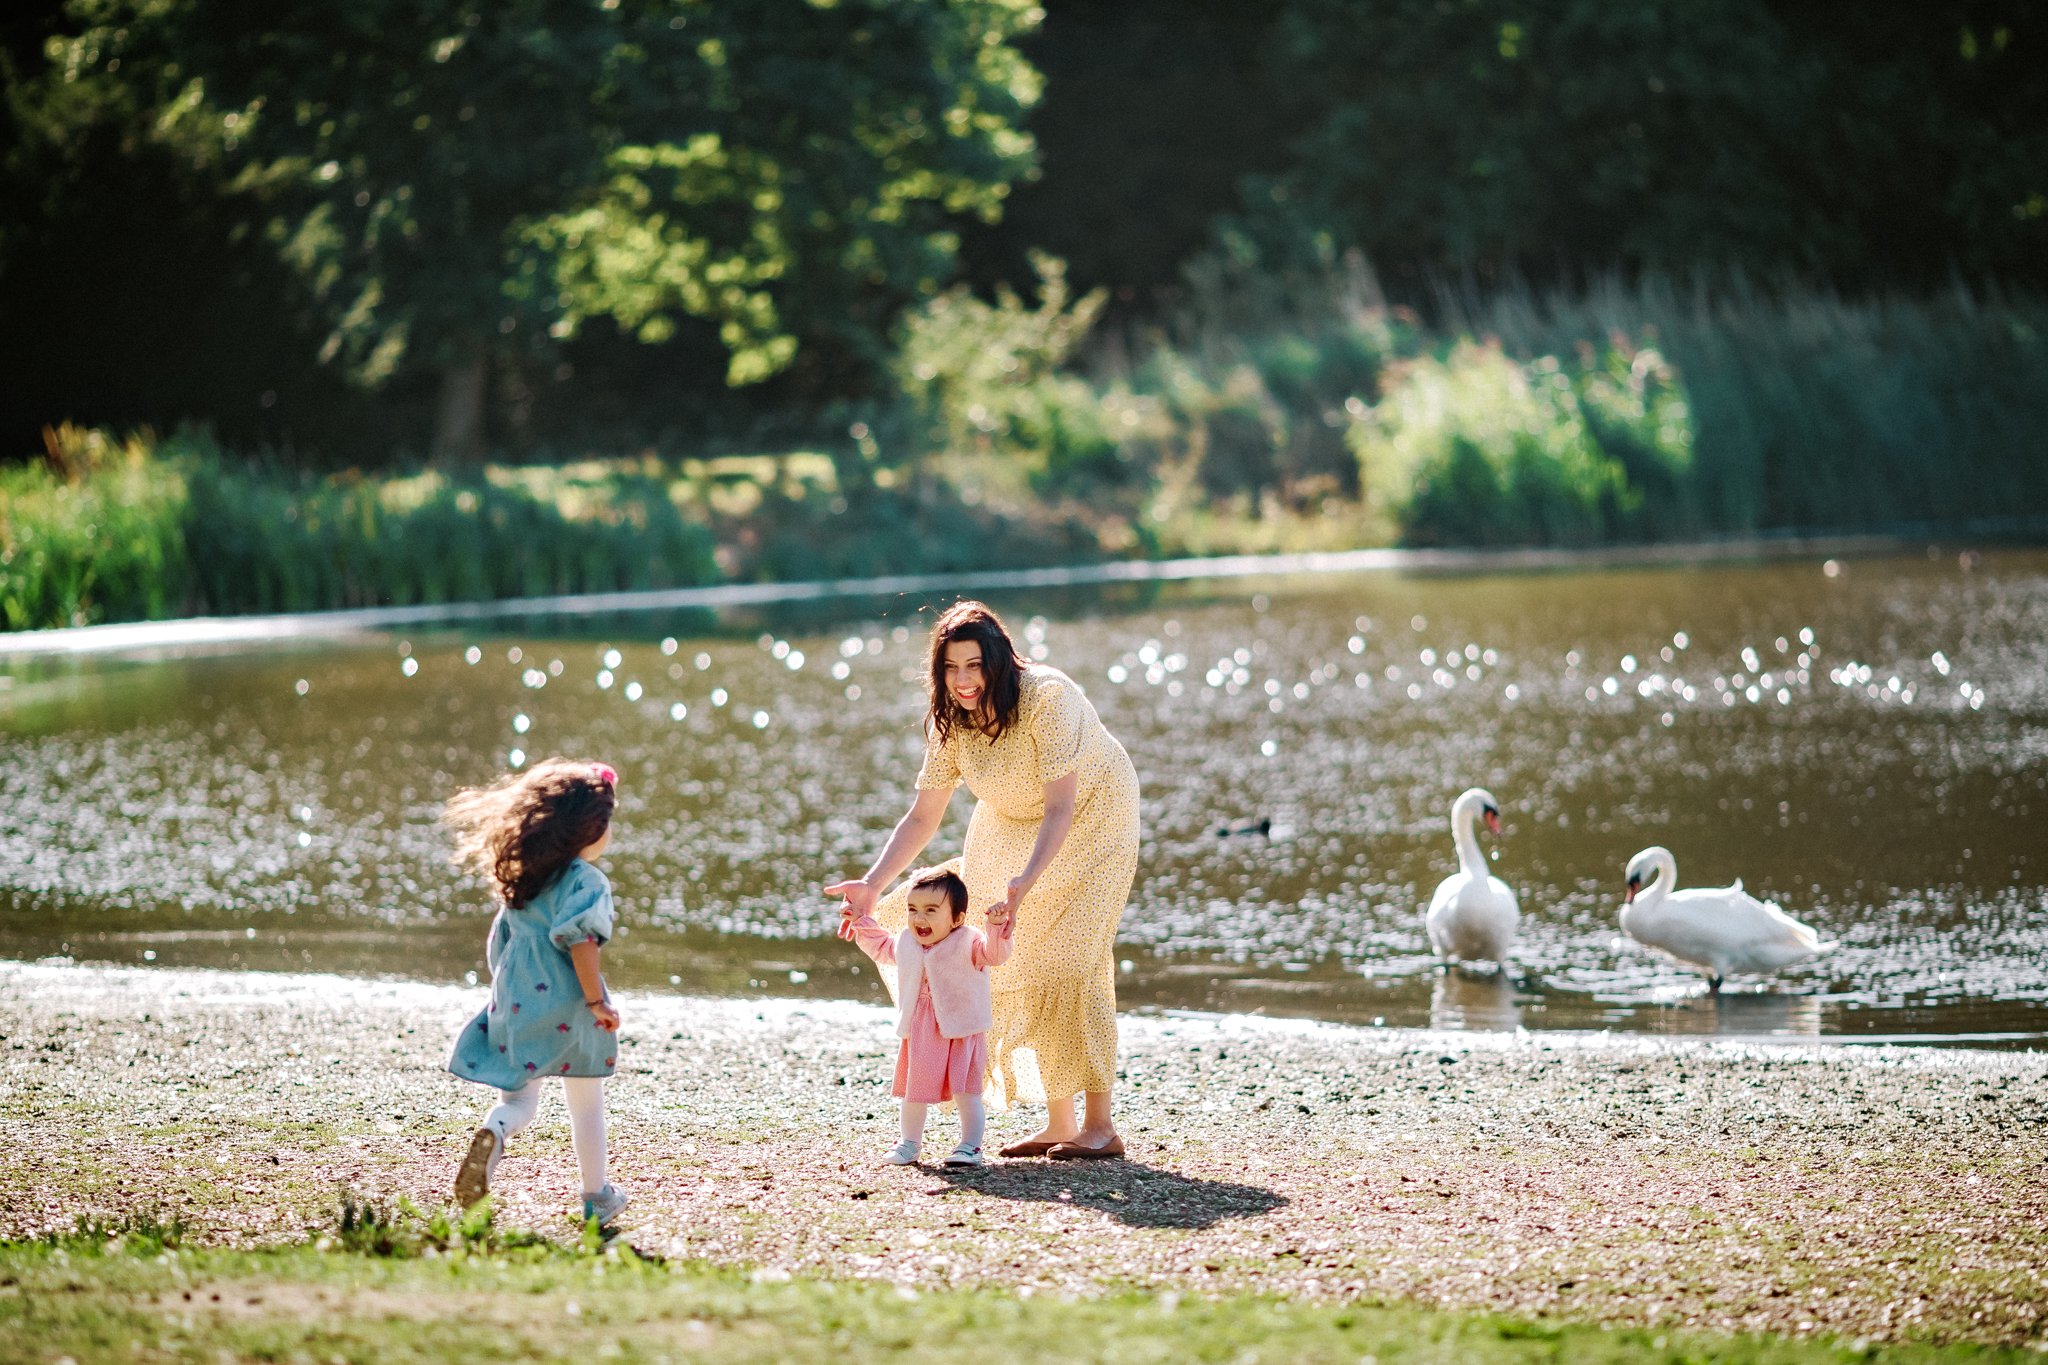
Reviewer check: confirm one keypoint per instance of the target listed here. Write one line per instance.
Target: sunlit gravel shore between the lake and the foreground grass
(1869, 1194)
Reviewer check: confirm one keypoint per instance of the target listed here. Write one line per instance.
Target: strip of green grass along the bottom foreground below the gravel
(400, 1288)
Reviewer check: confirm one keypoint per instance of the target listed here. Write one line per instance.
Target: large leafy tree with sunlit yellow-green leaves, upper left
(466, 183)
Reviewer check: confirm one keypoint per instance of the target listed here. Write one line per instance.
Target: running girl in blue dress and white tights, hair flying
(534, 838)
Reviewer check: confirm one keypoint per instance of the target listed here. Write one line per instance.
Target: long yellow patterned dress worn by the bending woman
(1056, 1000)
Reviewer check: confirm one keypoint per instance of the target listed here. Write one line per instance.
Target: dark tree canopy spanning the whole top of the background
(603, 214)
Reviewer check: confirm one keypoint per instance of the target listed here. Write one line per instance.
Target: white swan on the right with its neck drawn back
(1717, 930)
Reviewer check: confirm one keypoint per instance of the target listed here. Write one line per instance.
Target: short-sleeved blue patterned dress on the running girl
(538, 1022)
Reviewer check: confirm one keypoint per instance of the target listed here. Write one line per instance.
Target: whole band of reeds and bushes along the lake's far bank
(1261, 416)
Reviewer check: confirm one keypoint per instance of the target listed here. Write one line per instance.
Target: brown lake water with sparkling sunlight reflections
(1865, 742)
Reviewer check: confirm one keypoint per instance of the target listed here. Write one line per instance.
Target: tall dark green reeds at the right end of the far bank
(1814, 410)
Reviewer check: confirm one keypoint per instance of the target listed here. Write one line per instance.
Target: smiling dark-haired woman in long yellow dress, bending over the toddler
(1056, 840)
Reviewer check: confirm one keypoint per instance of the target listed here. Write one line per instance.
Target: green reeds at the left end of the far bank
(142, 529)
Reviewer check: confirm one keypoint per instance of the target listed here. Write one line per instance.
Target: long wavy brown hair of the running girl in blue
(521, 832)
